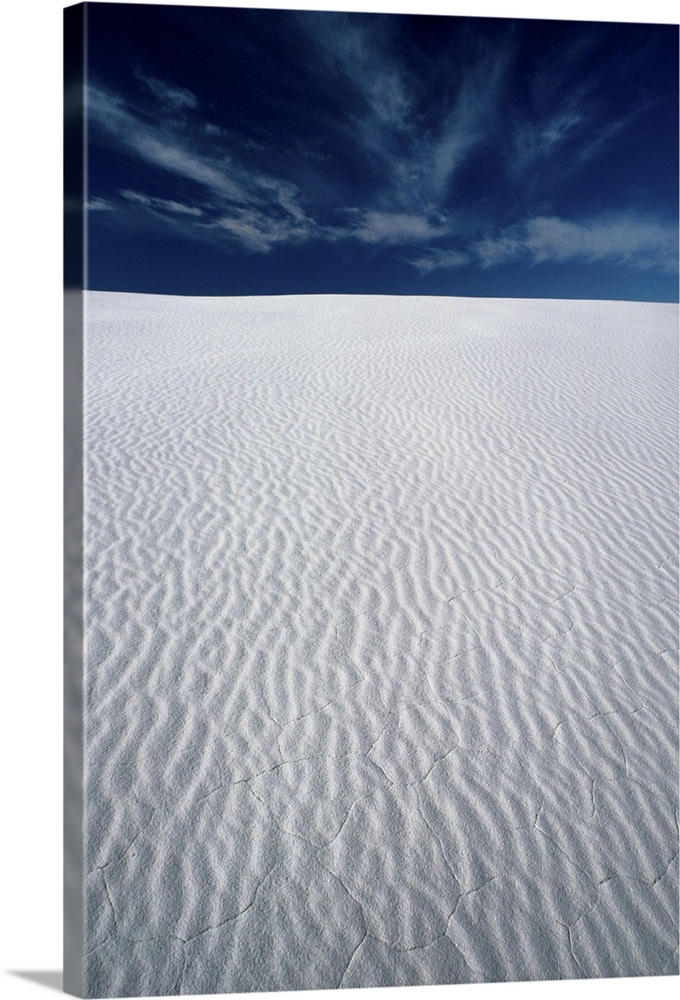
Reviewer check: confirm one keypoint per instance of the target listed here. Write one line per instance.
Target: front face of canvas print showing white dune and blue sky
(380, 501)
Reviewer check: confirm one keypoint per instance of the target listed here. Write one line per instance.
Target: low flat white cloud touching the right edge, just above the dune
(625, 240)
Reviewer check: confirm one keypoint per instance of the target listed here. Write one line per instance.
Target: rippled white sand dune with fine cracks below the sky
(381, 641)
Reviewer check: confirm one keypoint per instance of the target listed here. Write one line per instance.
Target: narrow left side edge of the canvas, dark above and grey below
(74, 37)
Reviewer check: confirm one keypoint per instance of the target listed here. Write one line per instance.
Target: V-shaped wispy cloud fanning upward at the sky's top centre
(417, 148)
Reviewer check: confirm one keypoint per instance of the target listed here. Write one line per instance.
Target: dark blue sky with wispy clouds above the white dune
(257, 152)
